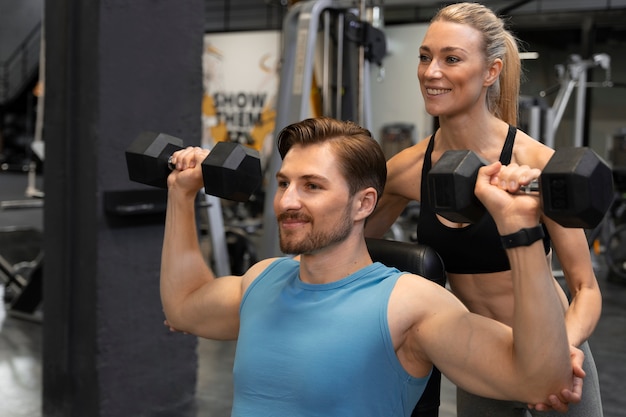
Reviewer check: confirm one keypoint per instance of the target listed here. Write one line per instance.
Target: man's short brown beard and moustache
(315, 240)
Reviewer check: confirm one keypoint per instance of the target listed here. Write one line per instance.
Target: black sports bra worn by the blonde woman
(473, 249)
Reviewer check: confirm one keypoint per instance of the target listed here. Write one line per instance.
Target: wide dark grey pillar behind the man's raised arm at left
(113, 69)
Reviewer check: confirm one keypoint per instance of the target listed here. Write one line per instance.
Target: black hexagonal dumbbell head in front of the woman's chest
(451, 186)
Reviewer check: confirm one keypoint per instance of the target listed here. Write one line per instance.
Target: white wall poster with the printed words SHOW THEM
(240, 86)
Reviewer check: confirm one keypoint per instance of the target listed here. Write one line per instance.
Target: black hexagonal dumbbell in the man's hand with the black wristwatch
(575, 187)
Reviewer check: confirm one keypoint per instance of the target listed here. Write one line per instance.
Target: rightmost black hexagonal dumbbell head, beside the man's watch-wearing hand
(576, 188)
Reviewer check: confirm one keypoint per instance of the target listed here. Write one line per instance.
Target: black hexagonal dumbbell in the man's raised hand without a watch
(230, 171)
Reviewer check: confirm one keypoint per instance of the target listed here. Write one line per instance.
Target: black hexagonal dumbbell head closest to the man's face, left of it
(232, 171)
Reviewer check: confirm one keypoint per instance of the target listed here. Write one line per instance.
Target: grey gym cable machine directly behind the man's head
(332, 38)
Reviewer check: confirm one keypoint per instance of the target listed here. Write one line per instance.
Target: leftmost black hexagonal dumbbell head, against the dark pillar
(147, 158)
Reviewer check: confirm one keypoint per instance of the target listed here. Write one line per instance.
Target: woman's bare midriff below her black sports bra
(490, 295)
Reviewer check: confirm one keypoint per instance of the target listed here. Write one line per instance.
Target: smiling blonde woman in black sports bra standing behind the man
(469, 74)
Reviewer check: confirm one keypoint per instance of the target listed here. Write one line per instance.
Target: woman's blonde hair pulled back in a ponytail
(498, 42)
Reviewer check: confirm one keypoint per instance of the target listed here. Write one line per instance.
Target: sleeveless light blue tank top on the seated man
(321, 350)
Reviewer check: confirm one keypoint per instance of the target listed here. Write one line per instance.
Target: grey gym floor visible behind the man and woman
(20, 340)
